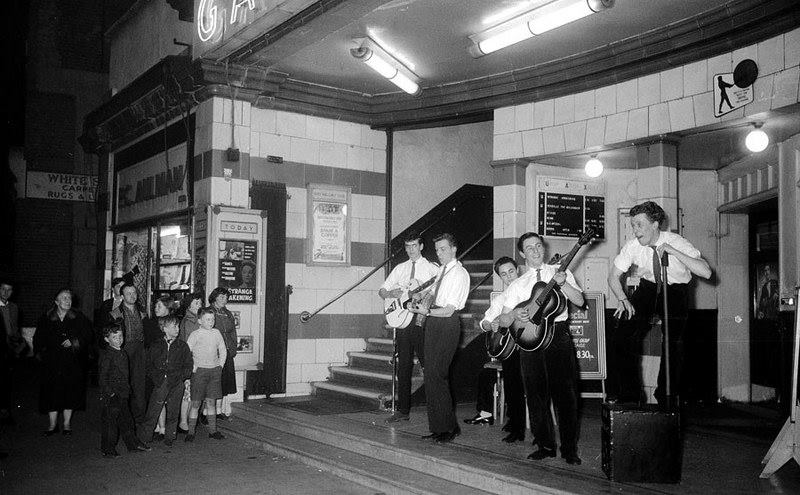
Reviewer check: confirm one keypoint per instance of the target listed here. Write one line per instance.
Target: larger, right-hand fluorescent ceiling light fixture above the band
(534, 22)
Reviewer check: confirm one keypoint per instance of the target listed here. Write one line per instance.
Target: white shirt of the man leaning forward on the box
(633, 253)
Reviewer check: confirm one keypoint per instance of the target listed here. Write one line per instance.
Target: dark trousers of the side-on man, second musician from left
(441, 342)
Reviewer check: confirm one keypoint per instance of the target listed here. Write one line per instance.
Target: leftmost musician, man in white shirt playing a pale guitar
(410, 339)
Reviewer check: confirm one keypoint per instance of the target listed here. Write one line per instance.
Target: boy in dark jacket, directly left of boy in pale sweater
(169, 366)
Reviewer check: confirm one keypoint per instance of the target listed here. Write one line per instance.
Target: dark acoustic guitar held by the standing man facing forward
(546, 302)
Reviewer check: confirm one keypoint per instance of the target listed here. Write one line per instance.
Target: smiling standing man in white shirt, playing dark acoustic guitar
(549, 372)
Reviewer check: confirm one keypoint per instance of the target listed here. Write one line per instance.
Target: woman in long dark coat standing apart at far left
(61, 343)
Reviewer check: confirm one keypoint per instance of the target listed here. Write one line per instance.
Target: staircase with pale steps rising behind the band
(367, 377)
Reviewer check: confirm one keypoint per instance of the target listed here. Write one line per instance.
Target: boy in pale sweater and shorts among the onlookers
(209, 354)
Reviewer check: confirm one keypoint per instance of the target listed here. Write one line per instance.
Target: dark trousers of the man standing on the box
(626, 343)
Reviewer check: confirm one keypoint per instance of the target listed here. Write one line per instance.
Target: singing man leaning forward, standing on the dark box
(635, 312)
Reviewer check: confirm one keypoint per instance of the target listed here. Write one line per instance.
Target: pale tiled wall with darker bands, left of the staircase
(312, 150)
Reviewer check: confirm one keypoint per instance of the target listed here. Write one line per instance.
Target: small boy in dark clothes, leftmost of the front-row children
(115, 390)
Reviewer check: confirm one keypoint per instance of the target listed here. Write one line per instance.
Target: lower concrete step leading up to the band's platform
(384, 477)
